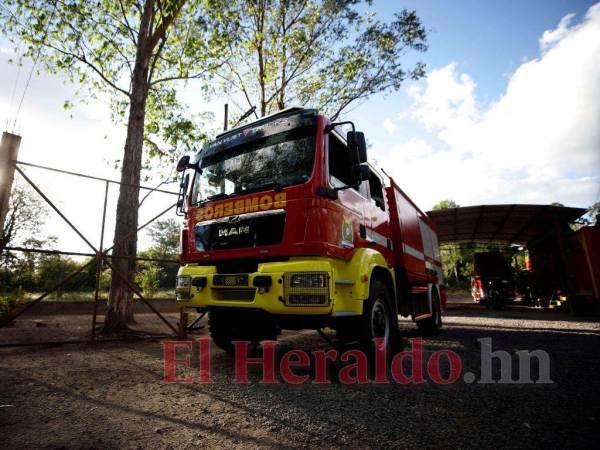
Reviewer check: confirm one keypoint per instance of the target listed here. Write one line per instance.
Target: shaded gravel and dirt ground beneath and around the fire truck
(112, 396)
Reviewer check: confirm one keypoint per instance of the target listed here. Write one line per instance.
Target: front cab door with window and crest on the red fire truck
(348, 211)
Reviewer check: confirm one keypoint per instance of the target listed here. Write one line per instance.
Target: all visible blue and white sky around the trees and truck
(507, 114)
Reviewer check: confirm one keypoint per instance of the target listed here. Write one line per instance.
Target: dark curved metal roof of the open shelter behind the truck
(518, 224)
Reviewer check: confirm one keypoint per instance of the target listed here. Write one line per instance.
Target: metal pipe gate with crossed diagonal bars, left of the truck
(100, 258)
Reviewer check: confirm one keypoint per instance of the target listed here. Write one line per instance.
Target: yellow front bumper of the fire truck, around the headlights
(345, 296)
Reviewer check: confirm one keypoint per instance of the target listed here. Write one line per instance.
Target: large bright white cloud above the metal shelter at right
(538, 143)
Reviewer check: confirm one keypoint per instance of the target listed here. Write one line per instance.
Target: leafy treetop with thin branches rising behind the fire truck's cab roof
(320, 53)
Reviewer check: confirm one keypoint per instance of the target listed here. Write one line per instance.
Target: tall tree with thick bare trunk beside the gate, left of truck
(136, 51)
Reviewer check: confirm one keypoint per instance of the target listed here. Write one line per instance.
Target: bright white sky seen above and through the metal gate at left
(82, 144)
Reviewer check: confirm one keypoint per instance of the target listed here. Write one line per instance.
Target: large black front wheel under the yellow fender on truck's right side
(379, 319)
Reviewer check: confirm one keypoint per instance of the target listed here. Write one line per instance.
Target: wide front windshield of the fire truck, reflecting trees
(280, 160)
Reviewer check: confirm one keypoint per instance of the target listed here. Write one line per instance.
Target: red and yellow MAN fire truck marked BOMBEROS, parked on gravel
(289, 227)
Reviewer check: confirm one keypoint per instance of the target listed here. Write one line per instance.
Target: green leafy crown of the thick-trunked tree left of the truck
(102, 45)
